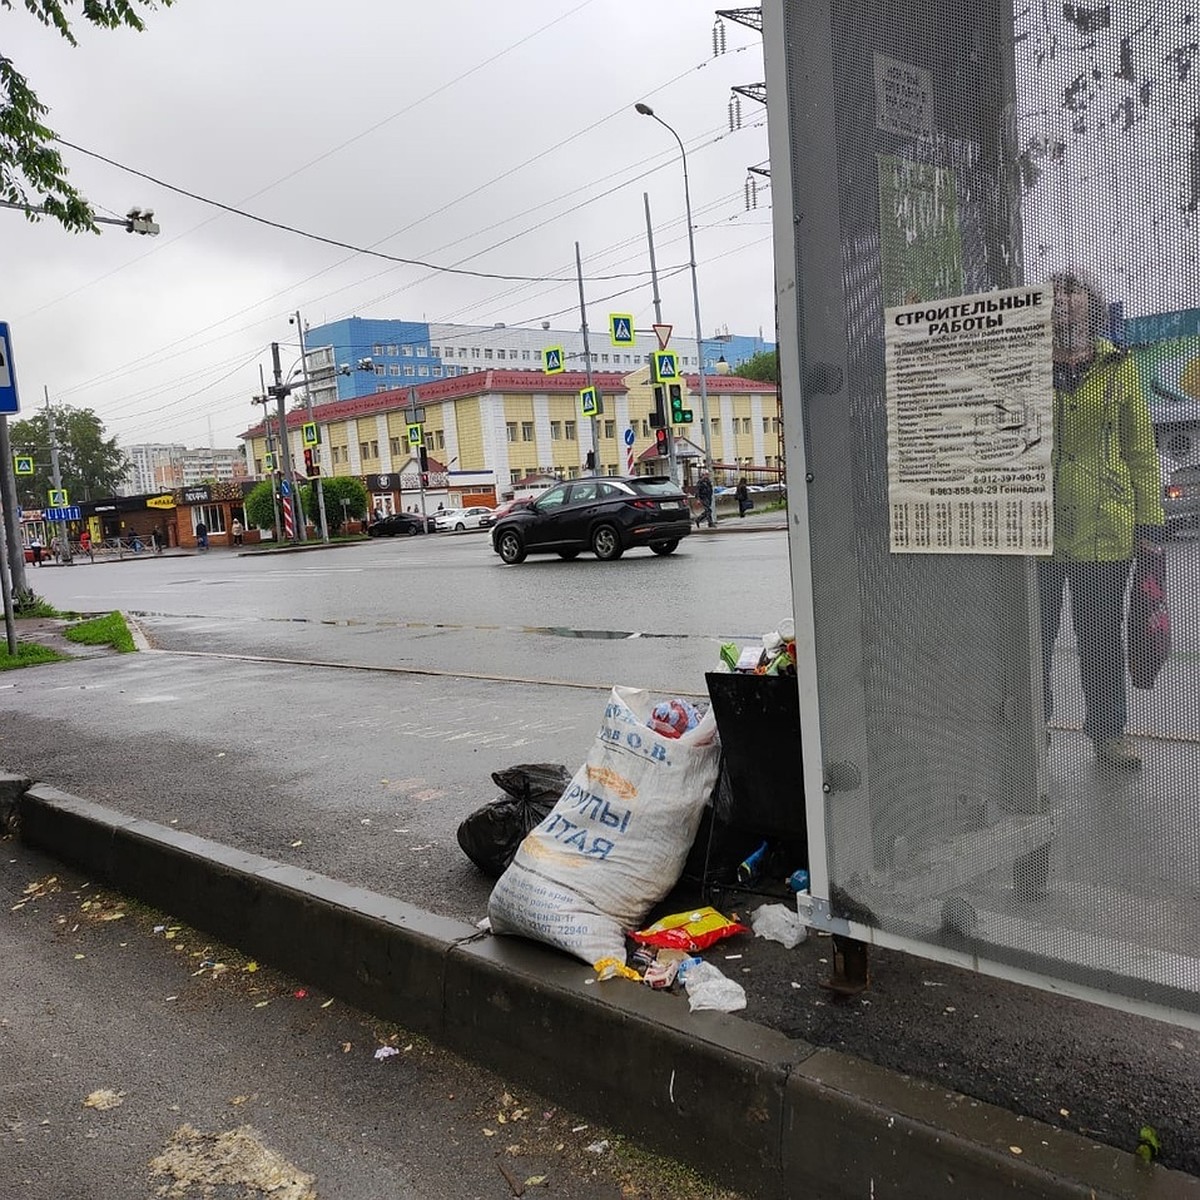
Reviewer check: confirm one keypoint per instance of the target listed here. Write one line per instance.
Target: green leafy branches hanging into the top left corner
(32, 171)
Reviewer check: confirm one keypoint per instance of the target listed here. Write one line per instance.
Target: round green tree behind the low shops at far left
(91, 465)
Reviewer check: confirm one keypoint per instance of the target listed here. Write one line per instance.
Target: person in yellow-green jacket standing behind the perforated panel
(1108, 499)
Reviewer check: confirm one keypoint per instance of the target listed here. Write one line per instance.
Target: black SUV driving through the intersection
(607, 517)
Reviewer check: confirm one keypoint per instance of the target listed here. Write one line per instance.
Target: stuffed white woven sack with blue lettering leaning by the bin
(616, 842)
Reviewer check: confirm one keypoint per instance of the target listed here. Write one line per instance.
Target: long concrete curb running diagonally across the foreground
(771, 1117)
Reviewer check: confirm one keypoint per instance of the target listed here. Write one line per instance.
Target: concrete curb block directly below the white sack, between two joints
(705, 1088)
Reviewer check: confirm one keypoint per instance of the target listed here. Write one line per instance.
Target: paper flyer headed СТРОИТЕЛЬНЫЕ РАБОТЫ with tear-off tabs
(970, 424)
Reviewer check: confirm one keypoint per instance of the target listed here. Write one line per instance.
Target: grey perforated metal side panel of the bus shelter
(983, 778)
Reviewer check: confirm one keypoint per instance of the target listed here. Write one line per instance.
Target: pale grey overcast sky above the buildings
(388, 127)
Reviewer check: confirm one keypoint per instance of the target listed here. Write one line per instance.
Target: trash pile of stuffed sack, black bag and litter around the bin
(583, 860)
